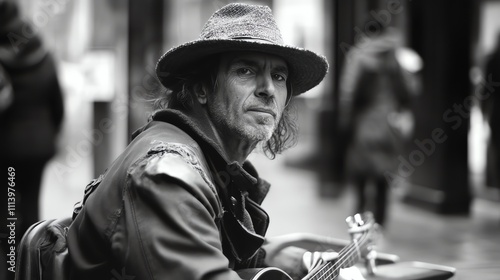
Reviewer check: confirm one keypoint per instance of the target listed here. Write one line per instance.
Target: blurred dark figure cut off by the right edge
(491, 109)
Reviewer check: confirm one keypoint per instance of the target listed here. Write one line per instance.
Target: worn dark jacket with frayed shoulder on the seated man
(170, 207)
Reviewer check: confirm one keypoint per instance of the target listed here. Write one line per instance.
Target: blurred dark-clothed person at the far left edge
(31, 113)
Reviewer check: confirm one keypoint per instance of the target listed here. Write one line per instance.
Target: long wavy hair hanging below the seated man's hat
(180, 96)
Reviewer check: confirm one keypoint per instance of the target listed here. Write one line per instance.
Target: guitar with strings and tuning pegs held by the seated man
(363, 231)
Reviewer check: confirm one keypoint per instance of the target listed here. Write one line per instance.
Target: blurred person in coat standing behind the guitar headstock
(375, 94)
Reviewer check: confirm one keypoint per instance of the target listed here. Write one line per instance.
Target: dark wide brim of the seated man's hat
(307, 69)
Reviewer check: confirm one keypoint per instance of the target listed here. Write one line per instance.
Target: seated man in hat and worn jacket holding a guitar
(182, 202)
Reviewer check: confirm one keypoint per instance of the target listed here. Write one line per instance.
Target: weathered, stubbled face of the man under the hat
(250, 95)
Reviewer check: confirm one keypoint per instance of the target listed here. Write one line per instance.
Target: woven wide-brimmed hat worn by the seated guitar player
(243, 27)
